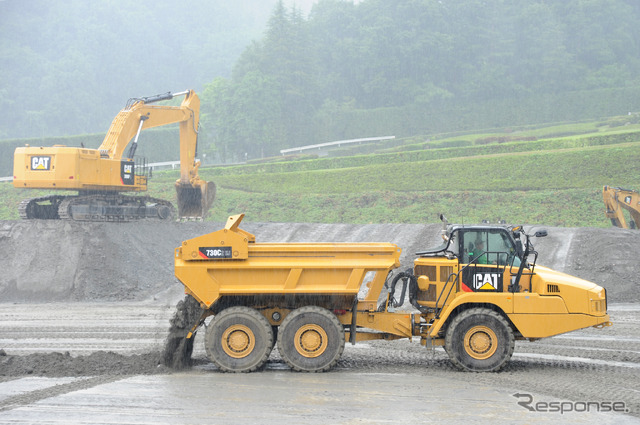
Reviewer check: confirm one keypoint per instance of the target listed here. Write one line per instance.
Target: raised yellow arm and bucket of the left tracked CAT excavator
(195, 196)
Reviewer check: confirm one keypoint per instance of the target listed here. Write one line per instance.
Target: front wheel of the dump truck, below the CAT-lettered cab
(479, 340)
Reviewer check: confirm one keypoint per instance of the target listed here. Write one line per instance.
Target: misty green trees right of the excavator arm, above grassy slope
(422, 65)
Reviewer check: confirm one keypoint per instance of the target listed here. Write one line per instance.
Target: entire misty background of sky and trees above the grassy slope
(345, 70)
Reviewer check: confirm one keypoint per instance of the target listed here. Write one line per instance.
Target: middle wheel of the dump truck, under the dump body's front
(311, 339)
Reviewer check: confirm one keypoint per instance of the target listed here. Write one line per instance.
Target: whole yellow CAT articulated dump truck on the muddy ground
(475, 295)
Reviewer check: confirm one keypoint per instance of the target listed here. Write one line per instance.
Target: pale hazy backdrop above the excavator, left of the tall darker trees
(68, 67)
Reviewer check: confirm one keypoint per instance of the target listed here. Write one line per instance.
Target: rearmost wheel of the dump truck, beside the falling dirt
(239, 339)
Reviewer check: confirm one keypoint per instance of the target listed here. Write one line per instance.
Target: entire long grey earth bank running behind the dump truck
(59, 261)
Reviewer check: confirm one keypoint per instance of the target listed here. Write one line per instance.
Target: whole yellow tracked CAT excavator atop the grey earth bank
(100, 176)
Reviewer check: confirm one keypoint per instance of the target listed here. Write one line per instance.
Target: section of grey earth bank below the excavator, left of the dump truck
(60, 261)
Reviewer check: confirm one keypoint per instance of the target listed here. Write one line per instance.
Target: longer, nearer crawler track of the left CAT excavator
(115, 208)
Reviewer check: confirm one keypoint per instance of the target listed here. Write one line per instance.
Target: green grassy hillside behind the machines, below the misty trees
(555, 181)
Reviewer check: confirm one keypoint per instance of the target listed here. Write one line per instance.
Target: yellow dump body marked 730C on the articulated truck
(222, 264)
